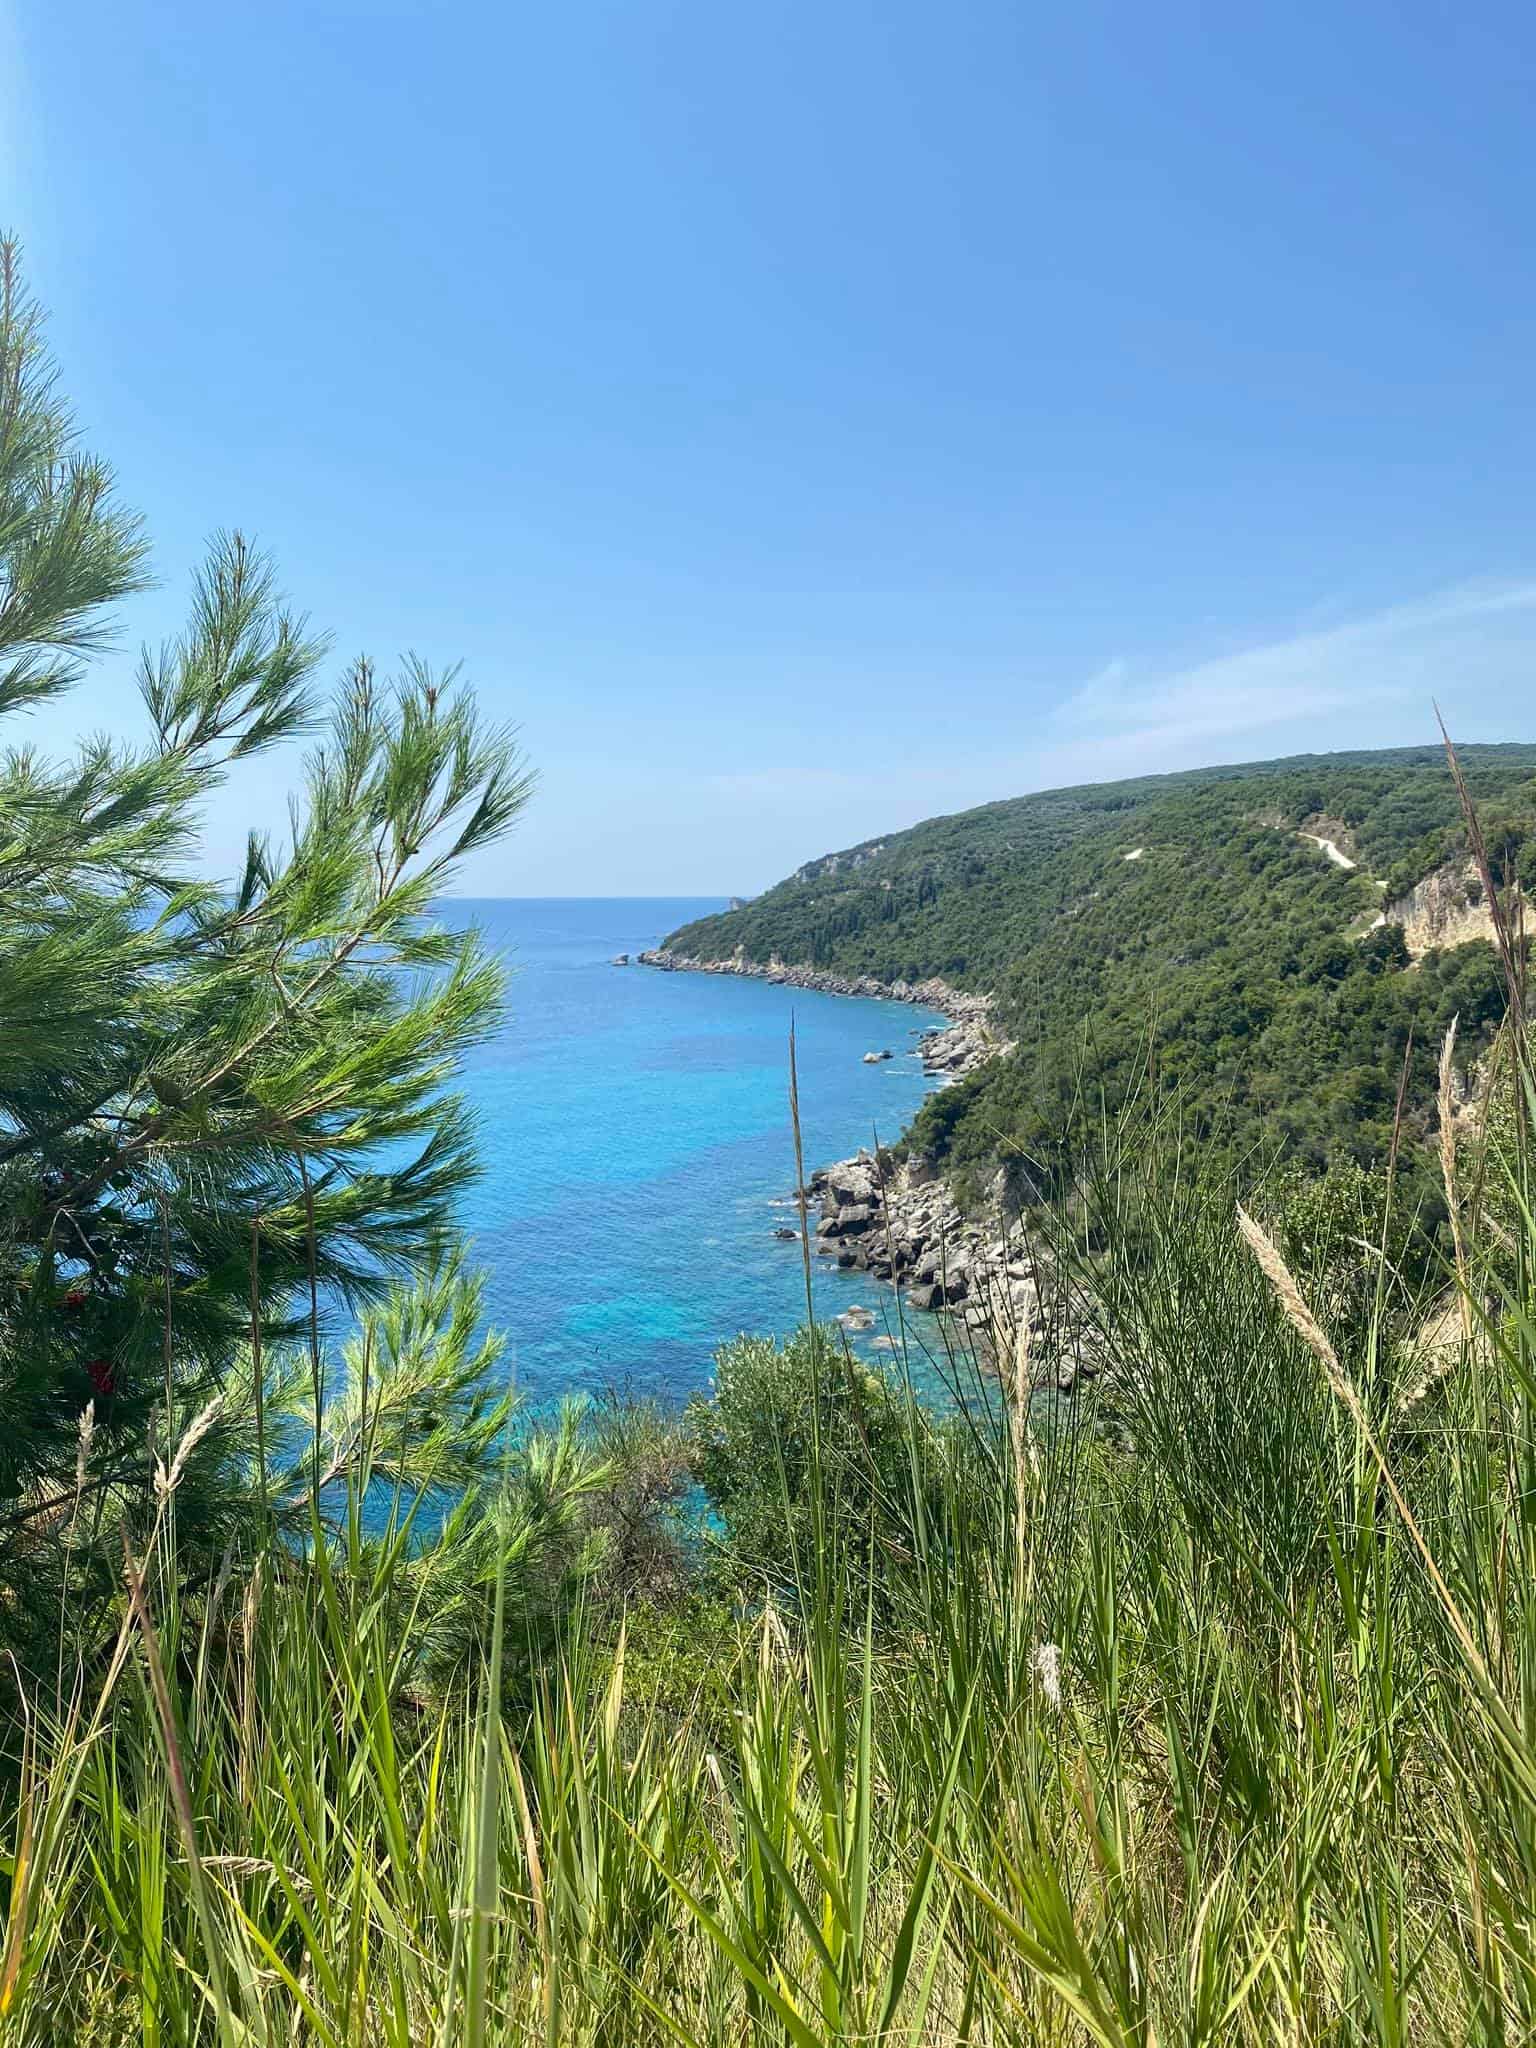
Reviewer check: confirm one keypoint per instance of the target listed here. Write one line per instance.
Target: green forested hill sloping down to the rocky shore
(1193, 916)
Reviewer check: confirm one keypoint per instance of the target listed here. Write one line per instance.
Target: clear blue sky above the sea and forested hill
(810, 417)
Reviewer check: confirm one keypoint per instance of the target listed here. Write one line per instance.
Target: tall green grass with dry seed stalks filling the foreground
(1211, 1727)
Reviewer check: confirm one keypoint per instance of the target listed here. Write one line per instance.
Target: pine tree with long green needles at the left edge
(222, 1107)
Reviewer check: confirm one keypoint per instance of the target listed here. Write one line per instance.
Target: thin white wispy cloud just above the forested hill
(1465, 638)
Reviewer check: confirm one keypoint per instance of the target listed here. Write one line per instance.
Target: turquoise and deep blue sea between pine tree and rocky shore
(638, 1146)
